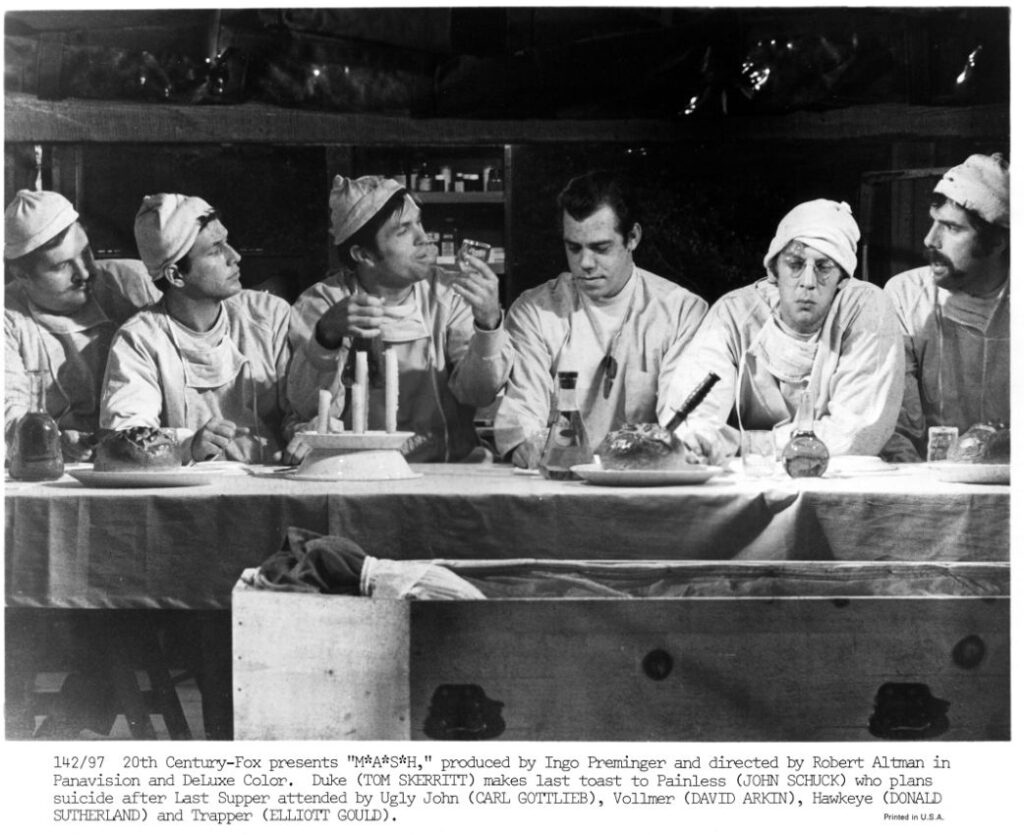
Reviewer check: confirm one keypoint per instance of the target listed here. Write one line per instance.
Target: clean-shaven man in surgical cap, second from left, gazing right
(209, 360)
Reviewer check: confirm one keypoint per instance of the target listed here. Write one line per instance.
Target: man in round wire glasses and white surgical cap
(808, 324)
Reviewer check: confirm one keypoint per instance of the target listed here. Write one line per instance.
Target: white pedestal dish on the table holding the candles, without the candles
(374, 456)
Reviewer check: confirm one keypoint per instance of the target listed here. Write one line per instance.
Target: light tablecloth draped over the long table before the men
(72, 547)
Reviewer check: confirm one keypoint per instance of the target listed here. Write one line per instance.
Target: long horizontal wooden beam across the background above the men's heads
(29, 119)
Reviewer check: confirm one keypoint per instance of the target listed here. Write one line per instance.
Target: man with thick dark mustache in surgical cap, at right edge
(955, 313)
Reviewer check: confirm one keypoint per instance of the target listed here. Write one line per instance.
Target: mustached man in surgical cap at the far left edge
(62, 308)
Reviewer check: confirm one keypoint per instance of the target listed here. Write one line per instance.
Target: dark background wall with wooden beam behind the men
(733, 116)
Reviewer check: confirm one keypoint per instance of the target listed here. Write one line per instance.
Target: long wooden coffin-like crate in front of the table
(772, 669)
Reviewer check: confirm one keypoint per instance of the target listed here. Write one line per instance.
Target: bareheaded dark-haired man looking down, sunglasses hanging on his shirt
(622, 329)
